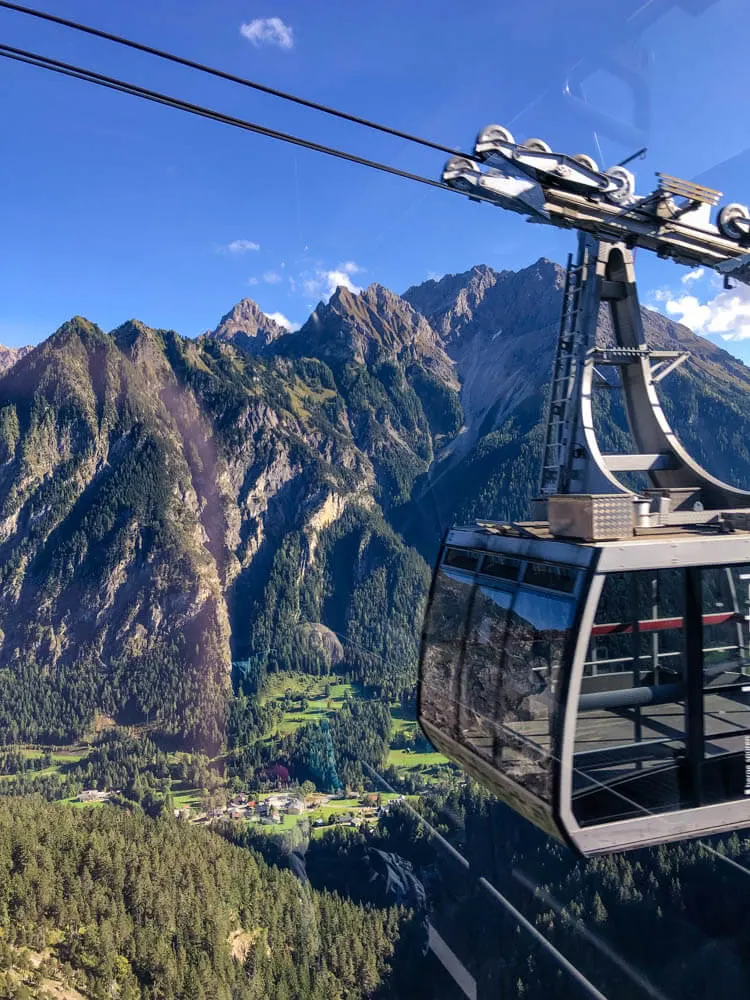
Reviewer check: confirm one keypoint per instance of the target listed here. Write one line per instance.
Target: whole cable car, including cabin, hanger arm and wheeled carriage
(592, 667)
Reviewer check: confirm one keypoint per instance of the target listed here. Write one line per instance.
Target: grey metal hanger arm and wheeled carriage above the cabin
(580, 489)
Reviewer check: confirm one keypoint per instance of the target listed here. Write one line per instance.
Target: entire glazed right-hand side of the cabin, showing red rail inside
(653, 628)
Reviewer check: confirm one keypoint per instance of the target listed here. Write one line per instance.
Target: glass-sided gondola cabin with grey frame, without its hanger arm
(602, 689)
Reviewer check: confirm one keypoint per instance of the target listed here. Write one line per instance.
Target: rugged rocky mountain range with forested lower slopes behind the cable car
(178, 513)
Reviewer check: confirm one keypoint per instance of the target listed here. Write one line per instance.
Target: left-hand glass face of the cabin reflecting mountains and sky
(500, 649)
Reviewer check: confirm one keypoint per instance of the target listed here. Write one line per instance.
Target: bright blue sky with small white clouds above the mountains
(115, 209)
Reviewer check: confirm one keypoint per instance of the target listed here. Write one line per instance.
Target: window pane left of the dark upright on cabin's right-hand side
(630, 748)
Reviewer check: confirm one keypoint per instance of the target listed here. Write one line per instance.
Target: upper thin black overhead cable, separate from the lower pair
(231, 77)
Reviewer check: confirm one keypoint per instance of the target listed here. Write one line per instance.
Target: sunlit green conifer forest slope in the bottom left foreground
(118, 904)
